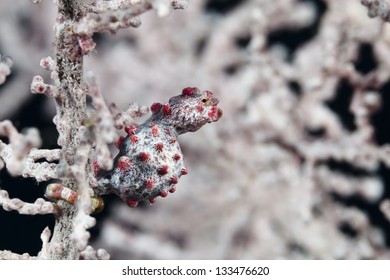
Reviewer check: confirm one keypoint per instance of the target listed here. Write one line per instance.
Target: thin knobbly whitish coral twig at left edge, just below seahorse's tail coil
(39, 207)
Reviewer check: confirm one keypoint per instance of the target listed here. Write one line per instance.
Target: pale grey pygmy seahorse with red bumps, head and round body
(150, 161)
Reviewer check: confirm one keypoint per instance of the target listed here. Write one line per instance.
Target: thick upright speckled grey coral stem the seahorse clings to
(71, 111)
